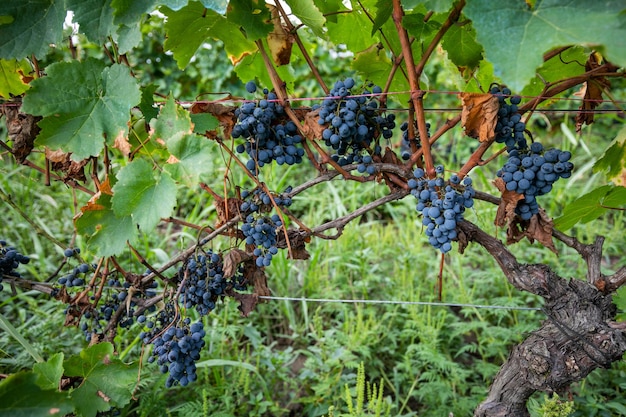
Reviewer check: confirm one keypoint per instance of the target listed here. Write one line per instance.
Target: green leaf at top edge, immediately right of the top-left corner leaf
(95, 18)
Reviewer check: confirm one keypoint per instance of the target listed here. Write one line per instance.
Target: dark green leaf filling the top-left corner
(29, 27)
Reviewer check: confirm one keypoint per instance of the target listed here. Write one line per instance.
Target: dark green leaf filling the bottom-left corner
(20, 396)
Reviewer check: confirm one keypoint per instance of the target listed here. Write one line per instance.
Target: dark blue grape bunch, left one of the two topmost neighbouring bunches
(267, 137)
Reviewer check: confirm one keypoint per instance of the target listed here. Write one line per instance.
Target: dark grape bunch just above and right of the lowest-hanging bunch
(203, 282)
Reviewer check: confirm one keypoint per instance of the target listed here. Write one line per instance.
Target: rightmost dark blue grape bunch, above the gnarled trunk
(532, 172)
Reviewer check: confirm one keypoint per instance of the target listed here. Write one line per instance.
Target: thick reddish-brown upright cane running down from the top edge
(416, 93)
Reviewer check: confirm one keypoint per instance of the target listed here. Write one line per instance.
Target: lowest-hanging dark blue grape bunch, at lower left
(177, 349)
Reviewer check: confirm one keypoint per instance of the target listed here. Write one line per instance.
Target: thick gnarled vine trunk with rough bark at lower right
(577, 336)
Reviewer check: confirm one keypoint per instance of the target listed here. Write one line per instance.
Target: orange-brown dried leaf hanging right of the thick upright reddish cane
(479, 115)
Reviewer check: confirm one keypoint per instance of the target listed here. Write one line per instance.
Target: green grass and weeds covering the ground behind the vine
(296, 358)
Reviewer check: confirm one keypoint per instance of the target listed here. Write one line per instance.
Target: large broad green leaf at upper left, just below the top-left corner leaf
(82, 103)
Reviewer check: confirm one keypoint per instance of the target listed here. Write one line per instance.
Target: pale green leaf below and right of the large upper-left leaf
(145, 194)
